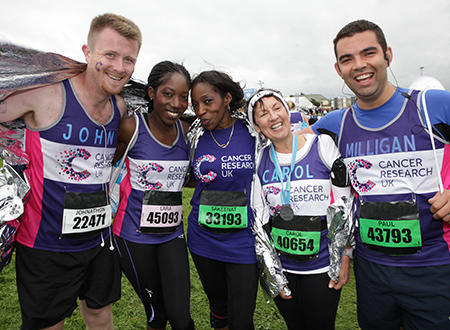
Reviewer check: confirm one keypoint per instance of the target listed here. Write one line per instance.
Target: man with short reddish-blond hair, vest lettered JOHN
(71, 137)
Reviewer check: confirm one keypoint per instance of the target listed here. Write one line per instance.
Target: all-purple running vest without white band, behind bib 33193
(225, 169)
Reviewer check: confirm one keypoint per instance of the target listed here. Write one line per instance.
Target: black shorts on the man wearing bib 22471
(49, 283)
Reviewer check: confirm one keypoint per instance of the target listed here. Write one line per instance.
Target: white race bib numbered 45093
(162, 211)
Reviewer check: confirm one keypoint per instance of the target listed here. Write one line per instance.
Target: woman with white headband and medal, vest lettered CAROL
(291, 192)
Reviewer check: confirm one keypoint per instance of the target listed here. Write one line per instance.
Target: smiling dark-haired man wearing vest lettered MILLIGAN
(402, 262)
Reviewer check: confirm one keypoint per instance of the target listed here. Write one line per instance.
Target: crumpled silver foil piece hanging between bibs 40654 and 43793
(340, 222)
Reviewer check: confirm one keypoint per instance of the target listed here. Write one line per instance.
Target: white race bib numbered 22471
(85, 213)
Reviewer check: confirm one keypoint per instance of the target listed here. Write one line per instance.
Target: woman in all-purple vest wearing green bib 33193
(219, 232)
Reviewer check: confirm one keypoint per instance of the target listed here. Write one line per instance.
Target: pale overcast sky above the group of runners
(286, 45)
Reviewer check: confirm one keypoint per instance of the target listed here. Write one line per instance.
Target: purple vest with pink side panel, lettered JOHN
(69, 156)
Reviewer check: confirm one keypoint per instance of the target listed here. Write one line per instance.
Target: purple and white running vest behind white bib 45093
(150, 166)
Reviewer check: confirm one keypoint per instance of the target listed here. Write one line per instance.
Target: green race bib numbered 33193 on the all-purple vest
(223, 210)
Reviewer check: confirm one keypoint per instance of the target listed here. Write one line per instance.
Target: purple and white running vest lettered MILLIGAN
(395, 163)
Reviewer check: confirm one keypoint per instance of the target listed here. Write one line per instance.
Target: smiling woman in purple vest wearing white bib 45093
(148, 225)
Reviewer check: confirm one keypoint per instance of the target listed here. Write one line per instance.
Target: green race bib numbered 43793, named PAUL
(392, 228)
